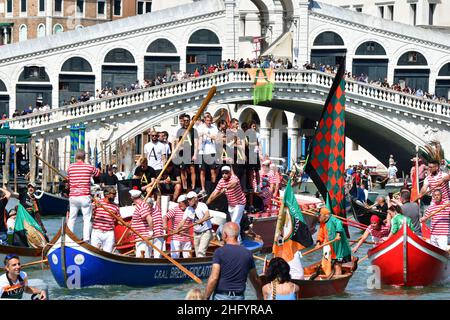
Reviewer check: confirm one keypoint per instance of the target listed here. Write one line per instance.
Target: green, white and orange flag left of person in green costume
(295, 235)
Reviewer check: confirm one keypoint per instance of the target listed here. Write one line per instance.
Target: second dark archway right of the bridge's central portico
(371, 60)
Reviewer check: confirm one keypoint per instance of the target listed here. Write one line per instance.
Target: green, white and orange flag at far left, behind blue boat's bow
(27, 232)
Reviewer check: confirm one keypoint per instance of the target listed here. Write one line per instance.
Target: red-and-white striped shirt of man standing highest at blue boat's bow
(79, 175)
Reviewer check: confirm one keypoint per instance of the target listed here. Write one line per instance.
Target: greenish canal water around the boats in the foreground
(356, 289)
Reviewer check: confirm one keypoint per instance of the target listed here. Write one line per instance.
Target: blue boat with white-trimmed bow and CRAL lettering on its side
(76, 264)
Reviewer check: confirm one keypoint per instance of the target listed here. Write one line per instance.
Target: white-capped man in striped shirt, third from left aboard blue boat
(142, 222)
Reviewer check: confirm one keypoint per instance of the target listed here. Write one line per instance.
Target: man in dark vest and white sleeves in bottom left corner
(14, 282)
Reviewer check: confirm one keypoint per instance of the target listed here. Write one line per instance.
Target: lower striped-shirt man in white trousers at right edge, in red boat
(439, 213)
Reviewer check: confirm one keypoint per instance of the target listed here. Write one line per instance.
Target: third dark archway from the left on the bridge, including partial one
(76, 77)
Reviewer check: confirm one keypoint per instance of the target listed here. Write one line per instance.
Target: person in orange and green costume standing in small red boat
(330, 229)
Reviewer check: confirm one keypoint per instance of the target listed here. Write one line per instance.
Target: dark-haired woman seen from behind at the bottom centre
(279, 286)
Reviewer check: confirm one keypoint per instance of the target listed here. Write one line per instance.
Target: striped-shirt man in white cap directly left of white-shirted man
(180, 242)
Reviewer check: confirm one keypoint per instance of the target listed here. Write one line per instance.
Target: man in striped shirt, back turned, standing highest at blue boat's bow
(79, 175)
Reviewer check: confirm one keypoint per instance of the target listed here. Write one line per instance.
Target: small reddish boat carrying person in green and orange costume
(320, 286)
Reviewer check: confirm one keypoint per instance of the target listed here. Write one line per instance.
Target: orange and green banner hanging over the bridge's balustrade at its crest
(263, 84)
